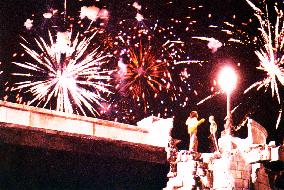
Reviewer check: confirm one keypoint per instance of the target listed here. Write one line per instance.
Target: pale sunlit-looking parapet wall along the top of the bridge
(53, 120)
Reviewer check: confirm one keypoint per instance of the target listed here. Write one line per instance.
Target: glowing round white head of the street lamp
(227, 79)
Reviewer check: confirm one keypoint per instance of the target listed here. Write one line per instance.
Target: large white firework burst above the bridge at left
(66, 70)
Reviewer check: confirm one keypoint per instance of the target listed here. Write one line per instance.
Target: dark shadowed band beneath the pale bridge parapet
(78, 143)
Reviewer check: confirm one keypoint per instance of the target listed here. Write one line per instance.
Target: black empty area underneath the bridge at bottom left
(24, 167)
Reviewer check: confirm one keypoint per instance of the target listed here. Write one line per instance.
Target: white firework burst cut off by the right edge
(270, 54)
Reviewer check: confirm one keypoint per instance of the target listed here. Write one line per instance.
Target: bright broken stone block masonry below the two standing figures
(236, 166)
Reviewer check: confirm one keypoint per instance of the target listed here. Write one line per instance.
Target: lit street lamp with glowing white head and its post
(227, 80)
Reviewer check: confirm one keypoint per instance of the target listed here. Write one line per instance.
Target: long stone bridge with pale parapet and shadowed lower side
(36, 127)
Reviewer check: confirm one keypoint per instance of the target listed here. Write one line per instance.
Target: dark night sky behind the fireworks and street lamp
(181, 20)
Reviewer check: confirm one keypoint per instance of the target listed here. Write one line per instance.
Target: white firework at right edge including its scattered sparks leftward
(268, 45)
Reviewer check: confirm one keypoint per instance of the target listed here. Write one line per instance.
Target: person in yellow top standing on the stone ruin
(192, 123)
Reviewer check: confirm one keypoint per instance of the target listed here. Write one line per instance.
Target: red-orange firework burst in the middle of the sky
(144, 72)
